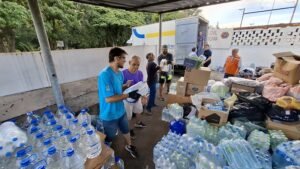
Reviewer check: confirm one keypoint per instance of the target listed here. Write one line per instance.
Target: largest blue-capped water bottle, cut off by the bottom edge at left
(72, 160)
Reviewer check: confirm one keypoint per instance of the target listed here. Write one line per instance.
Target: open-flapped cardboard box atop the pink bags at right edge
(287, 67)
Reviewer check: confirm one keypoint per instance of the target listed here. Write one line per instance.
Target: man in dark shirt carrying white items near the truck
(165, 61)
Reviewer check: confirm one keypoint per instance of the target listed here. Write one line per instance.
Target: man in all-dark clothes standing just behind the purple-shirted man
(152, 69)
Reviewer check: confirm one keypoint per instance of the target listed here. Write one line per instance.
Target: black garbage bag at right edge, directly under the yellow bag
(280, 114)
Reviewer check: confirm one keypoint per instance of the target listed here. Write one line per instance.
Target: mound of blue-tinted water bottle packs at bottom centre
(186, 152)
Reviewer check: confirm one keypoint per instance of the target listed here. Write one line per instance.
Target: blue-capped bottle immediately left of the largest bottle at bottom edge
(54, 160)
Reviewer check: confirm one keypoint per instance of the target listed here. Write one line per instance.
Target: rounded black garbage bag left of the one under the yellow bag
(246, 110)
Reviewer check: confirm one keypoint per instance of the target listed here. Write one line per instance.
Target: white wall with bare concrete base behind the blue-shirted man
(25, 85)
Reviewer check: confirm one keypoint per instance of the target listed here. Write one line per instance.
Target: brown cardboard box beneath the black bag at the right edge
(291, 130)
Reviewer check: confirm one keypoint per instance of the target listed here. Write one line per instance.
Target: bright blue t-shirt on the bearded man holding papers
(110, 83)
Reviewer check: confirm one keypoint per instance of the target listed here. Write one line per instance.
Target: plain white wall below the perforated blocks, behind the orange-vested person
(260, 56)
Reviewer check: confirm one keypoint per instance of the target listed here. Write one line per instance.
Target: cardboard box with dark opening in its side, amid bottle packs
(214, 117)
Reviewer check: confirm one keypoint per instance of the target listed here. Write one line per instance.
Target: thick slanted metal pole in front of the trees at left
(46, 51)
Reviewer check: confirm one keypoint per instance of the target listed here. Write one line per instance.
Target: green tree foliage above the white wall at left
(77, 25)
